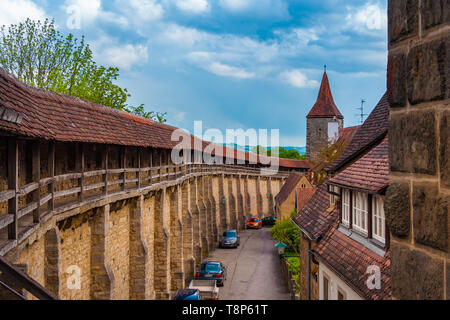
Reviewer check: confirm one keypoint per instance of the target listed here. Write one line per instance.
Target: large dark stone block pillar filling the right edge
(417, 201)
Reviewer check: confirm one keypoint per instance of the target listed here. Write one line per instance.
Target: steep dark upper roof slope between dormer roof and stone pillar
(373, 130)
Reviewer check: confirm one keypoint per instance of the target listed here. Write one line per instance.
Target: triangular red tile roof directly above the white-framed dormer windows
(369, 173)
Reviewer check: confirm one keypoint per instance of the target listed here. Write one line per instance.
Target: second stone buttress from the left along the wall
(102, 278)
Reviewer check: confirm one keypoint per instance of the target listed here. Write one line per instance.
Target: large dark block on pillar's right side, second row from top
(428, 66)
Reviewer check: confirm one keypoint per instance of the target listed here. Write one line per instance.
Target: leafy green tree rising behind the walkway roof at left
(39, 55)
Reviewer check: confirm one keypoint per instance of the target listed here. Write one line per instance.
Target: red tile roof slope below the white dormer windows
(350, 260)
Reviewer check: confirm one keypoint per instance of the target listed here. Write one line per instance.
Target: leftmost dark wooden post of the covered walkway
(13, 180)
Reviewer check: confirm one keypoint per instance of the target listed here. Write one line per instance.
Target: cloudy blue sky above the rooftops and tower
(231, 63)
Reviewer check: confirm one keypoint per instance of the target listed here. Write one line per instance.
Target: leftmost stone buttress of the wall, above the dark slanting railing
(52, 261)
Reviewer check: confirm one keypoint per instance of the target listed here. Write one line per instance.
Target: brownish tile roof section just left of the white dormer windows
(314, 219)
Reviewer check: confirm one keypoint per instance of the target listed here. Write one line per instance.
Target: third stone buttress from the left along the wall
(138, 252)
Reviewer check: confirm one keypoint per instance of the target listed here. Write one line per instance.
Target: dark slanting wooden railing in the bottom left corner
(13, 282)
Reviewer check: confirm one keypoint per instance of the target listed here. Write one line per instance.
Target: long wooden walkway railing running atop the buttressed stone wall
(44, 205)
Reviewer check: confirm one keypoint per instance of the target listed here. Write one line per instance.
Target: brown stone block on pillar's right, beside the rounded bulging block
(430, 215)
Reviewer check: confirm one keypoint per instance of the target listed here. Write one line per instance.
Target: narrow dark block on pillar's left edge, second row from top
(396, 80)
